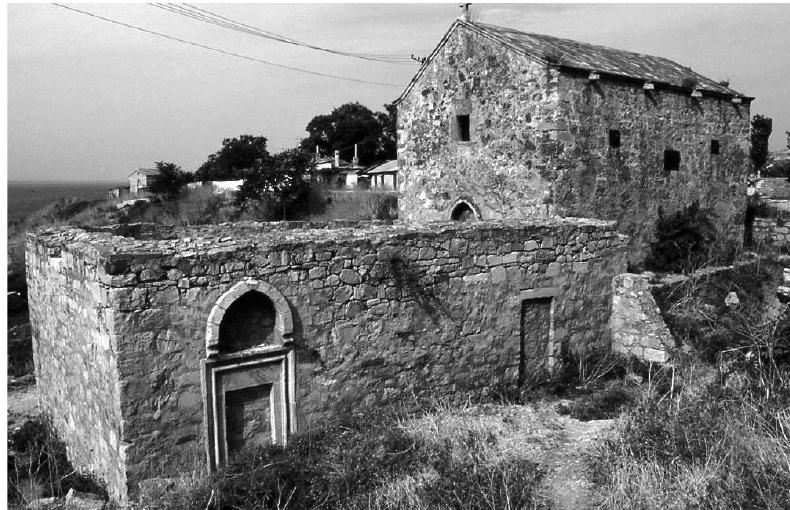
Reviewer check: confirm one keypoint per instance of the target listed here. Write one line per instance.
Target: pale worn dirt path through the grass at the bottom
(567, 484)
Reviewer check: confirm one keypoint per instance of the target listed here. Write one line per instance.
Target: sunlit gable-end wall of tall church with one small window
(502, 170)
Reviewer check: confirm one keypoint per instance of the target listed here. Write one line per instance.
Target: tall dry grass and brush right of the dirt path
(708, 440)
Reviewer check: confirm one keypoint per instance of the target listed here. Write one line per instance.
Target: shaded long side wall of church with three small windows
(628, 184)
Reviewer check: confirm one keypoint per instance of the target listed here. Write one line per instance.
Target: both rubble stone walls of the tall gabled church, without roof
(539, 144)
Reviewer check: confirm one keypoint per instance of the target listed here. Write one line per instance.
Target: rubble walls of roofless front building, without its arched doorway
(380, 314)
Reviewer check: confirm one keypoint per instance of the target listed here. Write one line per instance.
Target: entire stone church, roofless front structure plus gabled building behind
(159, 349)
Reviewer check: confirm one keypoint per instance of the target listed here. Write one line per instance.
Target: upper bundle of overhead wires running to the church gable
(206, 16)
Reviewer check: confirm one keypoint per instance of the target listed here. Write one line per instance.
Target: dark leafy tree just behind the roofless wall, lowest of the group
(276, 185)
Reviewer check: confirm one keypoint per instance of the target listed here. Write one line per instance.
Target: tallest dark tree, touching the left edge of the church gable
(350, 124)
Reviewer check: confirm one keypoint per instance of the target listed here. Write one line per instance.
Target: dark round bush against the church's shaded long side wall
(684, 240)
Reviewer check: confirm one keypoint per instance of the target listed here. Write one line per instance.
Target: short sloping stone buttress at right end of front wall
(637, 326)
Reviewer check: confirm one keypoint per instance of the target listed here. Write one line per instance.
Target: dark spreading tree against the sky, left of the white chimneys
(236, 157)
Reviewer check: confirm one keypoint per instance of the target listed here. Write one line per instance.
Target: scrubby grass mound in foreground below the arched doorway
(371, 461)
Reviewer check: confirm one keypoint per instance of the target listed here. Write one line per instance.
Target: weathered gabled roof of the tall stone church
(573, 55)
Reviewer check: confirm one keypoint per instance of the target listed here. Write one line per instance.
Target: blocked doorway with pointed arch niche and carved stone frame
(248, 371)
